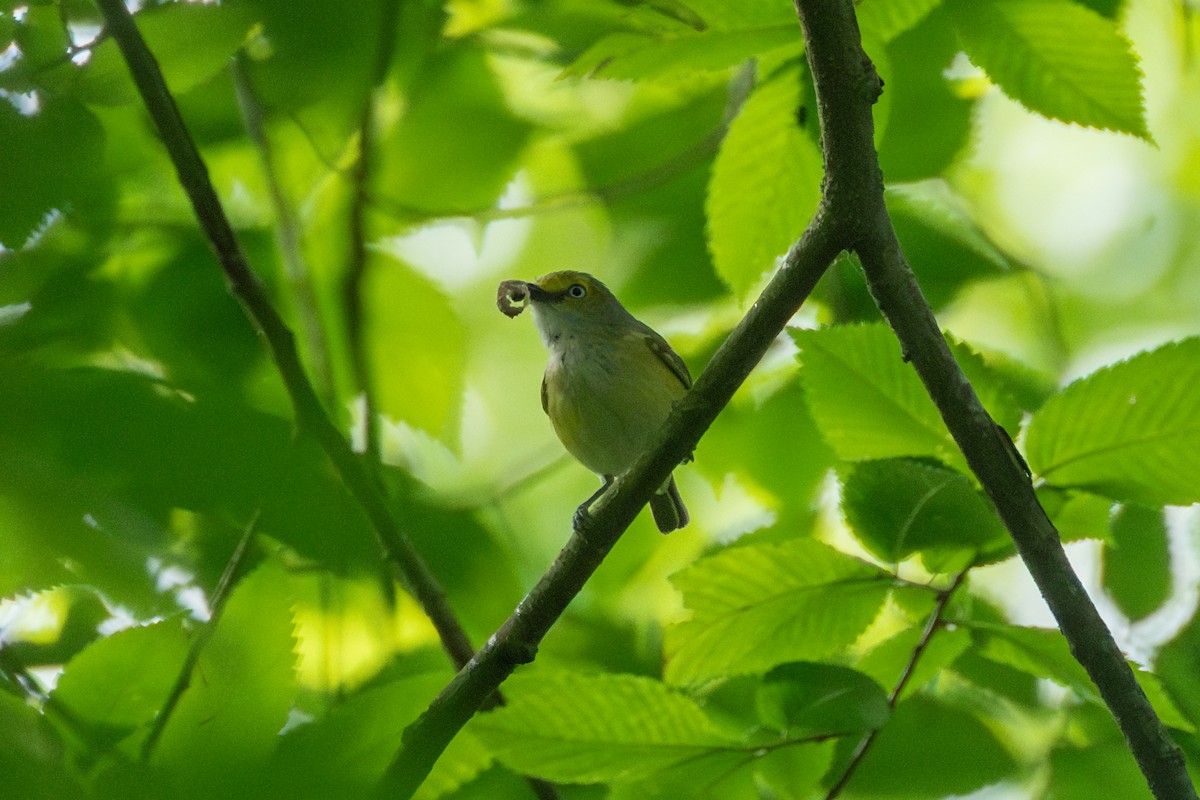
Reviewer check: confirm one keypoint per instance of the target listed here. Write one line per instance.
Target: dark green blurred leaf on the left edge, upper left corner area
(50, 161)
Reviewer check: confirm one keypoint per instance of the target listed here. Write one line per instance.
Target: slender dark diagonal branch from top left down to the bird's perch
(311, 418)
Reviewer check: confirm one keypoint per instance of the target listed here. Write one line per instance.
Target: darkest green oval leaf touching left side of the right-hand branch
(901, 507)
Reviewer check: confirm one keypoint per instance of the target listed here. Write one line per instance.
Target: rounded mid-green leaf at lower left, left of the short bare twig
(122, 681)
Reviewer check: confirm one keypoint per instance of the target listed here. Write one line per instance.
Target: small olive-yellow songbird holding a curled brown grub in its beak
(610, 383)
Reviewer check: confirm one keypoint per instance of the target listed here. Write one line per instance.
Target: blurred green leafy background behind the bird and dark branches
(1043, 169)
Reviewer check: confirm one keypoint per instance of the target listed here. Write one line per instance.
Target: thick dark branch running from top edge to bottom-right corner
(845, 82)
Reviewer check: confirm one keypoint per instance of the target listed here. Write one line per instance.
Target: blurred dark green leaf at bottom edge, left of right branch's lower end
(1106, 771)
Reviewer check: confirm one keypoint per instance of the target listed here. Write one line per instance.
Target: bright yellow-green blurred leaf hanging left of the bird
(417, 350)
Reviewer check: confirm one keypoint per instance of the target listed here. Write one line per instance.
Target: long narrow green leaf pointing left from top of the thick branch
(627, 56)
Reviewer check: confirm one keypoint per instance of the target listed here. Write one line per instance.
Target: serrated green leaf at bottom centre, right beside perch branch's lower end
(580, 729)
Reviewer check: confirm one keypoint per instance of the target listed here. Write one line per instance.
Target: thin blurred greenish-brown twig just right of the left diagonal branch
(287, 236)
